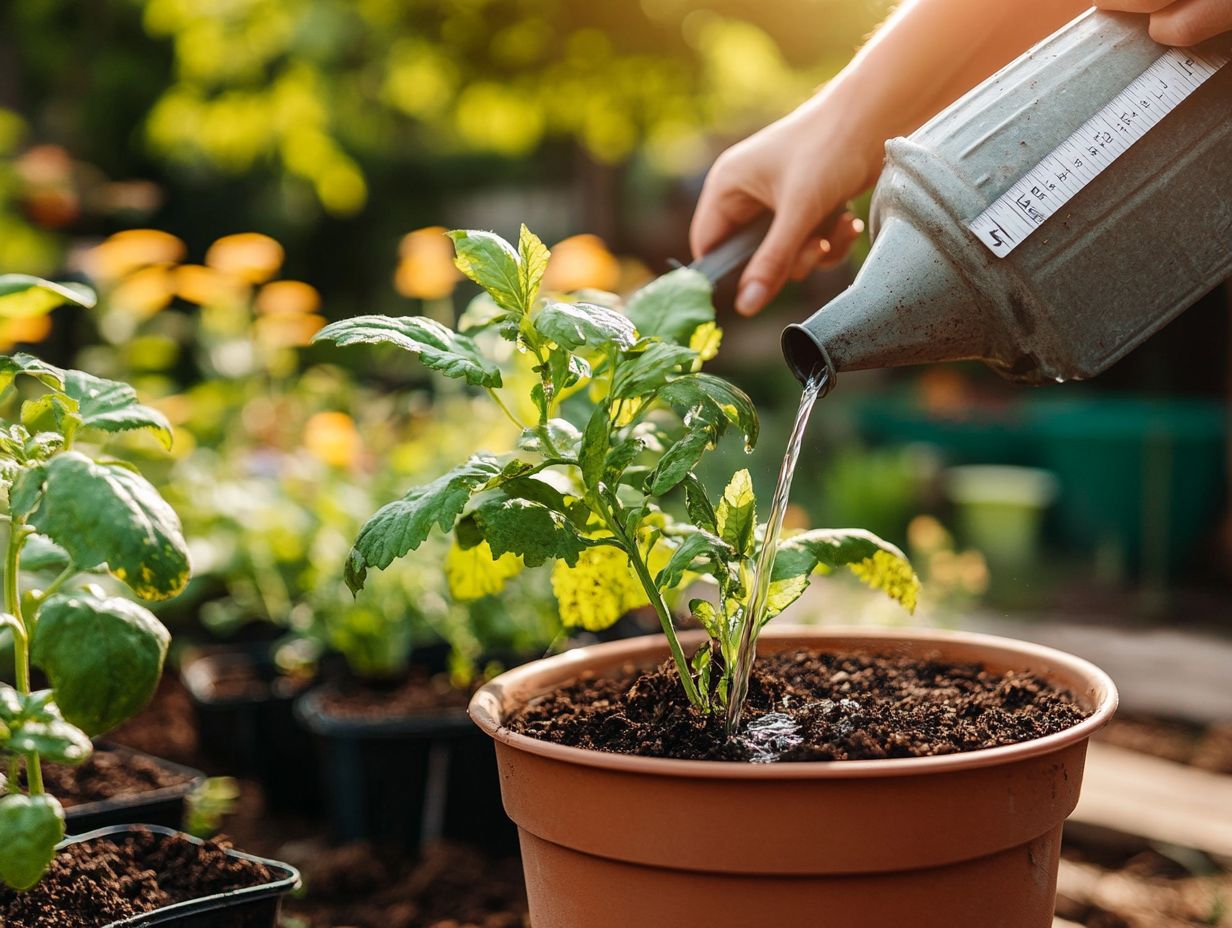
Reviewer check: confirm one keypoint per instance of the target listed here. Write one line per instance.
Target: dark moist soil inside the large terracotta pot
(808, 706)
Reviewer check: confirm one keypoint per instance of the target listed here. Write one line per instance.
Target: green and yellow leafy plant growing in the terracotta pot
(623, 417)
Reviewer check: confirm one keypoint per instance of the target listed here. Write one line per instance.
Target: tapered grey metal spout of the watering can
(923, 312)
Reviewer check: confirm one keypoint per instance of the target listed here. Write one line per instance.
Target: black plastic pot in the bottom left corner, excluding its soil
(249, 908)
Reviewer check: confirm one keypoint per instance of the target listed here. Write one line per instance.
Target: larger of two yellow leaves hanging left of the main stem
(597, 591)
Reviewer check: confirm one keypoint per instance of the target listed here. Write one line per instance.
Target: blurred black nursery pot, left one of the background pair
(254, 735)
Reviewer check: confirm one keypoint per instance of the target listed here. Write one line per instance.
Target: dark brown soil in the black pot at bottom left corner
(100, 882)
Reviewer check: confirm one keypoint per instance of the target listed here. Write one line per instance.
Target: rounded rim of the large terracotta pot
(487, 710)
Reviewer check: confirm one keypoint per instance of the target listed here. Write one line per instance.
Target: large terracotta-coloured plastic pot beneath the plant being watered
(964, 841)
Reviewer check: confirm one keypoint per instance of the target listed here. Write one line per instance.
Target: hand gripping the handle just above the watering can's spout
(803, 172)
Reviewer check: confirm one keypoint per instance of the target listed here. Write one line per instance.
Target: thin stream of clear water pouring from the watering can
(755, 614)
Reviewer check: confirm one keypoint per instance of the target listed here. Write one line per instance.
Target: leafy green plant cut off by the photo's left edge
(71, 515)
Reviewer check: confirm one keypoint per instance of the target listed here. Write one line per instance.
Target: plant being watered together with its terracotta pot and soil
(617, 829)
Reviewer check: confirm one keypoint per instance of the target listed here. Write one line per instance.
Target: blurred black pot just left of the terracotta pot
(411, 781)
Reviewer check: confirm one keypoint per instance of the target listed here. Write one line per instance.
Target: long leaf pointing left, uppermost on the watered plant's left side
(438, 347)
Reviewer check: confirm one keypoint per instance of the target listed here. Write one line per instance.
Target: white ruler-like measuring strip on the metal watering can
(1085, 156)
